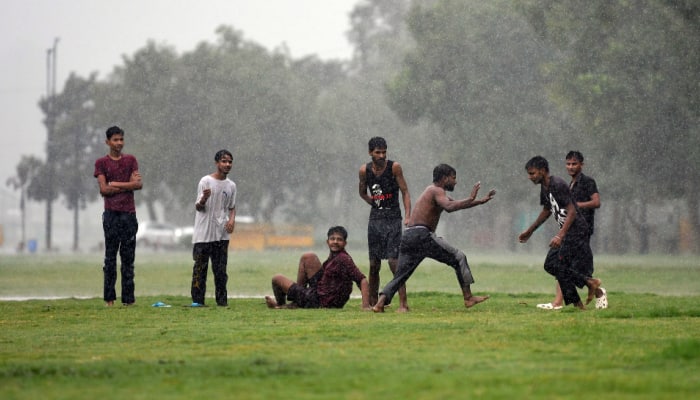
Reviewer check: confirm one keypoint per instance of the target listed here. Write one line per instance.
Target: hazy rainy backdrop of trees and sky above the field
(296, 89)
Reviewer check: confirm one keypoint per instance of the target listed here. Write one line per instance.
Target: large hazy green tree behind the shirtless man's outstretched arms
(475, 74)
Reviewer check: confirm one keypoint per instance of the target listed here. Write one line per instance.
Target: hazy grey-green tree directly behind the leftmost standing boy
(140, 98)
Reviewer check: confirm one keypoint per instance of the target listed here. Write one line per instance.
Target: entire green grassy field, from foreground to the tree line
(646, 345)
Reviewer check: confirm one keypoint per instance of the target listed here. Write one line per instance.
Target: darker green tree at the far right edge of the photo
(628, 70)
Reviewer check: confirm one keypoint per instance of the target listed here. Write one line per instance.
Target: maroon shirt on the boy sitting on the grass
(335, 286)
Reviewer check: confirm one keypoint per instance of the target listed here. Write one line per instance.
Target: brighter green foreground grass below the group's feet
(505, 348)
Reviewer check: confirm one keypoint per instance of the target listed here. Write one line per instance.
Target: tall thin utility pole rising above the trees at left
(50, 125)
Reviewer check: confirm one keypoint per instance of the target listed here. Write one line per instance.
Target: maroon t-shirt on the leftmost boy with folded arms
(118, 171)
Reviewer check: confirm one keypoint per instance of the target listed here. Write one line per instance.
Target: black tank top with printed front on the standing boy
(384, 191)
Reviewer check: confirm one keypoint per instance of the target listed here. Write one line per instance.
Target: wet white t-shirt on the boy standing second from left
(210, 224)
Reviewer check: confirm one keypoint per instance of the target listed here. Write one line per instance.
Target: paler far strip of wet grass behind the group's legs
(169, 273)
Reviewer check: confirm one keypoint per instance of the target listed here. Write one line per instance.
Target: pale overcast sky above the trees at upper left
(95, 34)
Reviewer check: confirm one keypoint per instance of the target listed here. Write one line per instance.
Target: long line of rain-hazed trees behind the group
(480, 85)
